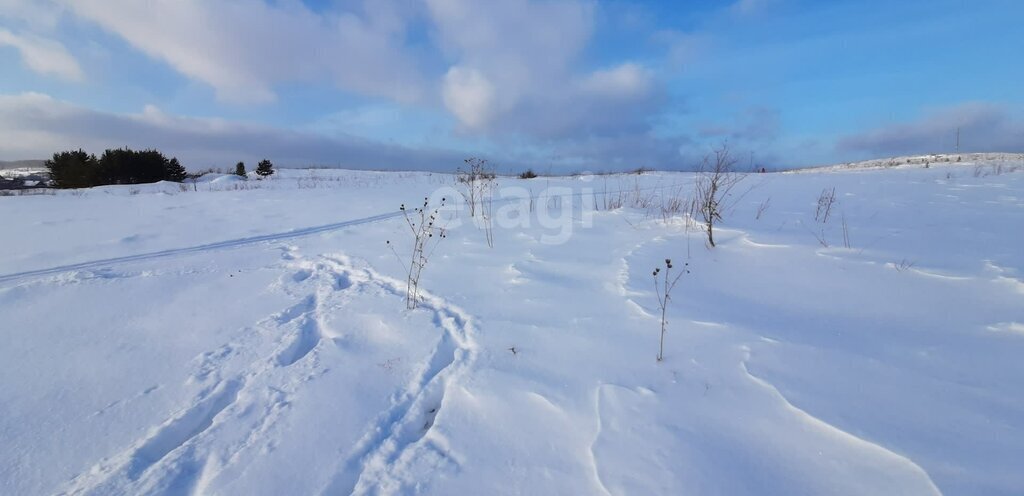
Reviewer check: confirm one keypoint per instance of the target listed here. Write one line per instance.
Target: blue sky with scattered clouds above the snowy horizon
(553, 86)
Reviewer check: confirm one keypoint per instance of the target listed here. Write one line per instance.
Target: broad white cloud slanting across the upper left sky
(243, 49)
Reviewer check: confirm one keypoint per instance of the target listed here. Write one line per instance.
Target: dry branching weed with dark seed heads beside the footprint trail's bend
(426, 236)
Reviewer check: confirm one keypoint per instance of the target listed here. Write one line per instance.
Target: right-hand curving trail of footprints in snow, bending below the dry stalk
(404, 435)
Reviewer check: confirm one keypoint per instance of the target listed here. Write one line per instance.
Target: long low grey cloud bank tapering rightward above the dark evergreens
(36, 126)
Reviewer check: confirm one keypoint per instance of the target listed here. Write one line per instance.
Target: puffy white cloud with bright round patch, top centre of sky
(516, 71)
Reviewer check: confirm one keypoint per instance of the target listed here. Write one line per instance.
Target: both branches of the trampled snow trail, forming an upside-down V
(231, 417)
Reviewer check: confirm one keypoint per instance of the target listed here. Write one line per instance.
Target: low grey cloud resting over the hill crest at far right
(984, 128)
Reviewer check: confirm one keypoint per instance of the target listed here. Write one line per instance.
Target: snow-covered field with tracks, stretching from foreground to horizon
(251, 338)
